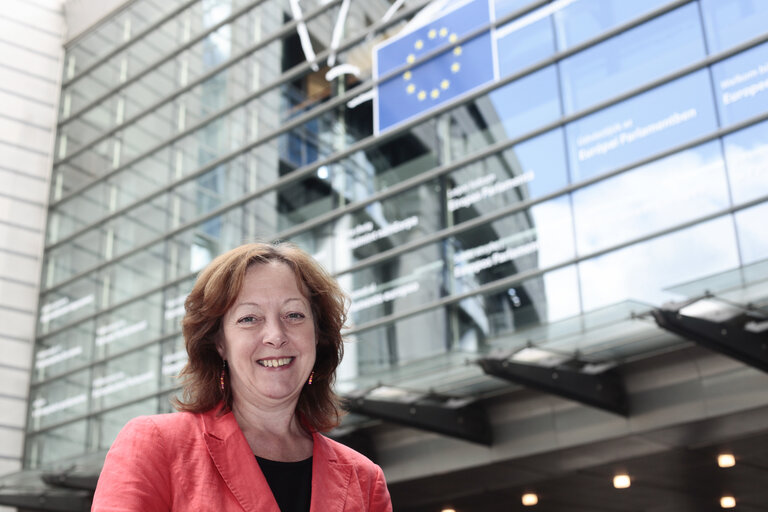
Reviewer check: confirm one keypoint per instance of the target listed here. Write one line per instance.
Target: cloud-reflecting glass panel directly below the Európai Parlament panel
(661, 194)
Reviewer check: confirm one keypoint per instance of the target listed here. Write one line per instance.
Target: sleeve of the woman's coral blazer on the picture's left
(135, 476)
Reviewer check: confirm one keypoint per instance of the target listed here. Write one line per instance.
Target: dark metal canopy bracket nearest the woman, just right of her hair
(460, 419)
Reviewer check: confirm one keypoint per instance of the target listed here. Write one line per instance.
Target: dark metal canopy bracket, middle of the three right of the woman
(603, 390)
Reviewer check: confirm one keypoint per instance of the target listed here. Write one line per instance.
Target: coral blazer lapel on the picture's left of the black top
(236, 464)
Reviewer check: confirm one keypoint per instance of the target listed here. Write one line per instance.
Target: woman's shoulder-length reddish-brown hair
(216, 289)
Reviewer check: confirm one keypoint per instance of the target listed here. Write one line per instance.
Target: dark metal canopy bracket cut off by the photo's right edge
(729, 338)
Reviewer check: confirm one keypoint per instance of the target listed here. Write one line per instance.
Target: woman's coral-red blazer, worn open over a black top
(199, 462)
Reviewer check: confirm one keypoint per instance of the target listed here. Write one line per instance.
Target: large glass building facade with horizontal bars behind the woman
(616, 153)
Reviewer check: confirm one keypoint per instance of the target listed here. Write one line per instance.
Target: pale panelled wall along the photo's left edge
(31, 37)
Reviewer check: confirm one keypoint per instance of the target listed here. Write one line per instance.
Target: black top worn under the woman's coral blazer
(291, 483)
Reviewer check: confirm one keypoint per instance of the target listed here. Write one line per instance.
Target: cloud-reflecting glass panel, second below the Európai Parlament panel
(659, 264)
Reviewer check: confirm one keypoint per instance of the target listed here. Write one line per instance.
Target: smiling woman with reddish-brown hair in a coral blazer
(262, 330)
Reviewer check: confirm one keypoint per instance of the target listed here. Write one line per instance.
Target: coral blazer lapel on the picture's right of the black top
(330, 480)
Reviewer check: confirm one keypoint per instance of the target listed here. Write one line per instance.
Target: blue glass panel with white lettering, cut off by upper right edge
(741, 84)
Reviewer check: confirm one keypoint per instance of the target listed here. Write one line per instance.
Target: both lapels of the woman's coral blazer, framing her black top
(238, 467)
